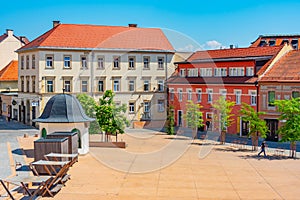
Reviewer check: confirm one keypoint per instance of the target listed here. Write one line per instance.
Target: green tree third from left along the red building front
(223, 118)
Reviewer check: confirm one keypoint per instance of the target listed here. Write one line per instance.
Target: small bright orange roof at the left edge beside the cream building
(10, 72)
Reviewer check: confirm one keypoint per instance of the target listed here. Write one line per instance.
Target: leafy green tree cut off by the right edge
(290, 113)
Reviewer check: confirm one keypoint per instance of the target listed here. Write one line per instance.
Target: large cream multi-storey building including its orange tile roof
(135, 73)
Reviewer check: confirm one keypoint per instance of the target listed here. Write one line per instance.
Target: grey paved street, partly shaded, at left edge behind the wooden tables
(10, 151)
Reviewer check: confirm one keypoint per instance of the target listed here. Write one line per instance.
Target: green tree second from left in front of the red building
(193, 117)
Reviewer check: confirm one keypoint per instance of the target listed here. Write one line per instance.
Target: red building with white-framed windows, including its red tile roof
(206, 75)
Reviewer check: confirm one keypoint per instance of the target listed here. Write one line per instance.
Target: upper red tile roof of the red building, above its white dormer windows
(235, 53)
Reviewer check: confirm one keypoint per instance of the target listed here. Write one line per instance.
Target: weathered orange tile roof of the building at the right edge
(287, 69)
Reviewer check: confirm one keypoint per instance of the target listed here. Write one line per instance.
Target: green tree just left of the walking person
(257, 125)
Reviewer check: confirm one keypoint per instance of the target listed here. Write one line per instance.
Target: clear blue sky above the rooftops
(207, 24)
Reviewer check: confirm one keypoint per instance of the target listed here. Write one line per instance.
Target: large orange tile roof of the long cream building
(92, 36)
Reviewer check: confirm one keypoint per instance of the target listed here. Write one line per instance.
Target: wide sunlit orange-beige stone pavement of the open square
(204, 170)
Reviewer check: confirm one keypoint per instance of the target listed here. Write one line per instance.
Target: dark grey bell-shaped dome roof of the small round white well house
(63, 108)
